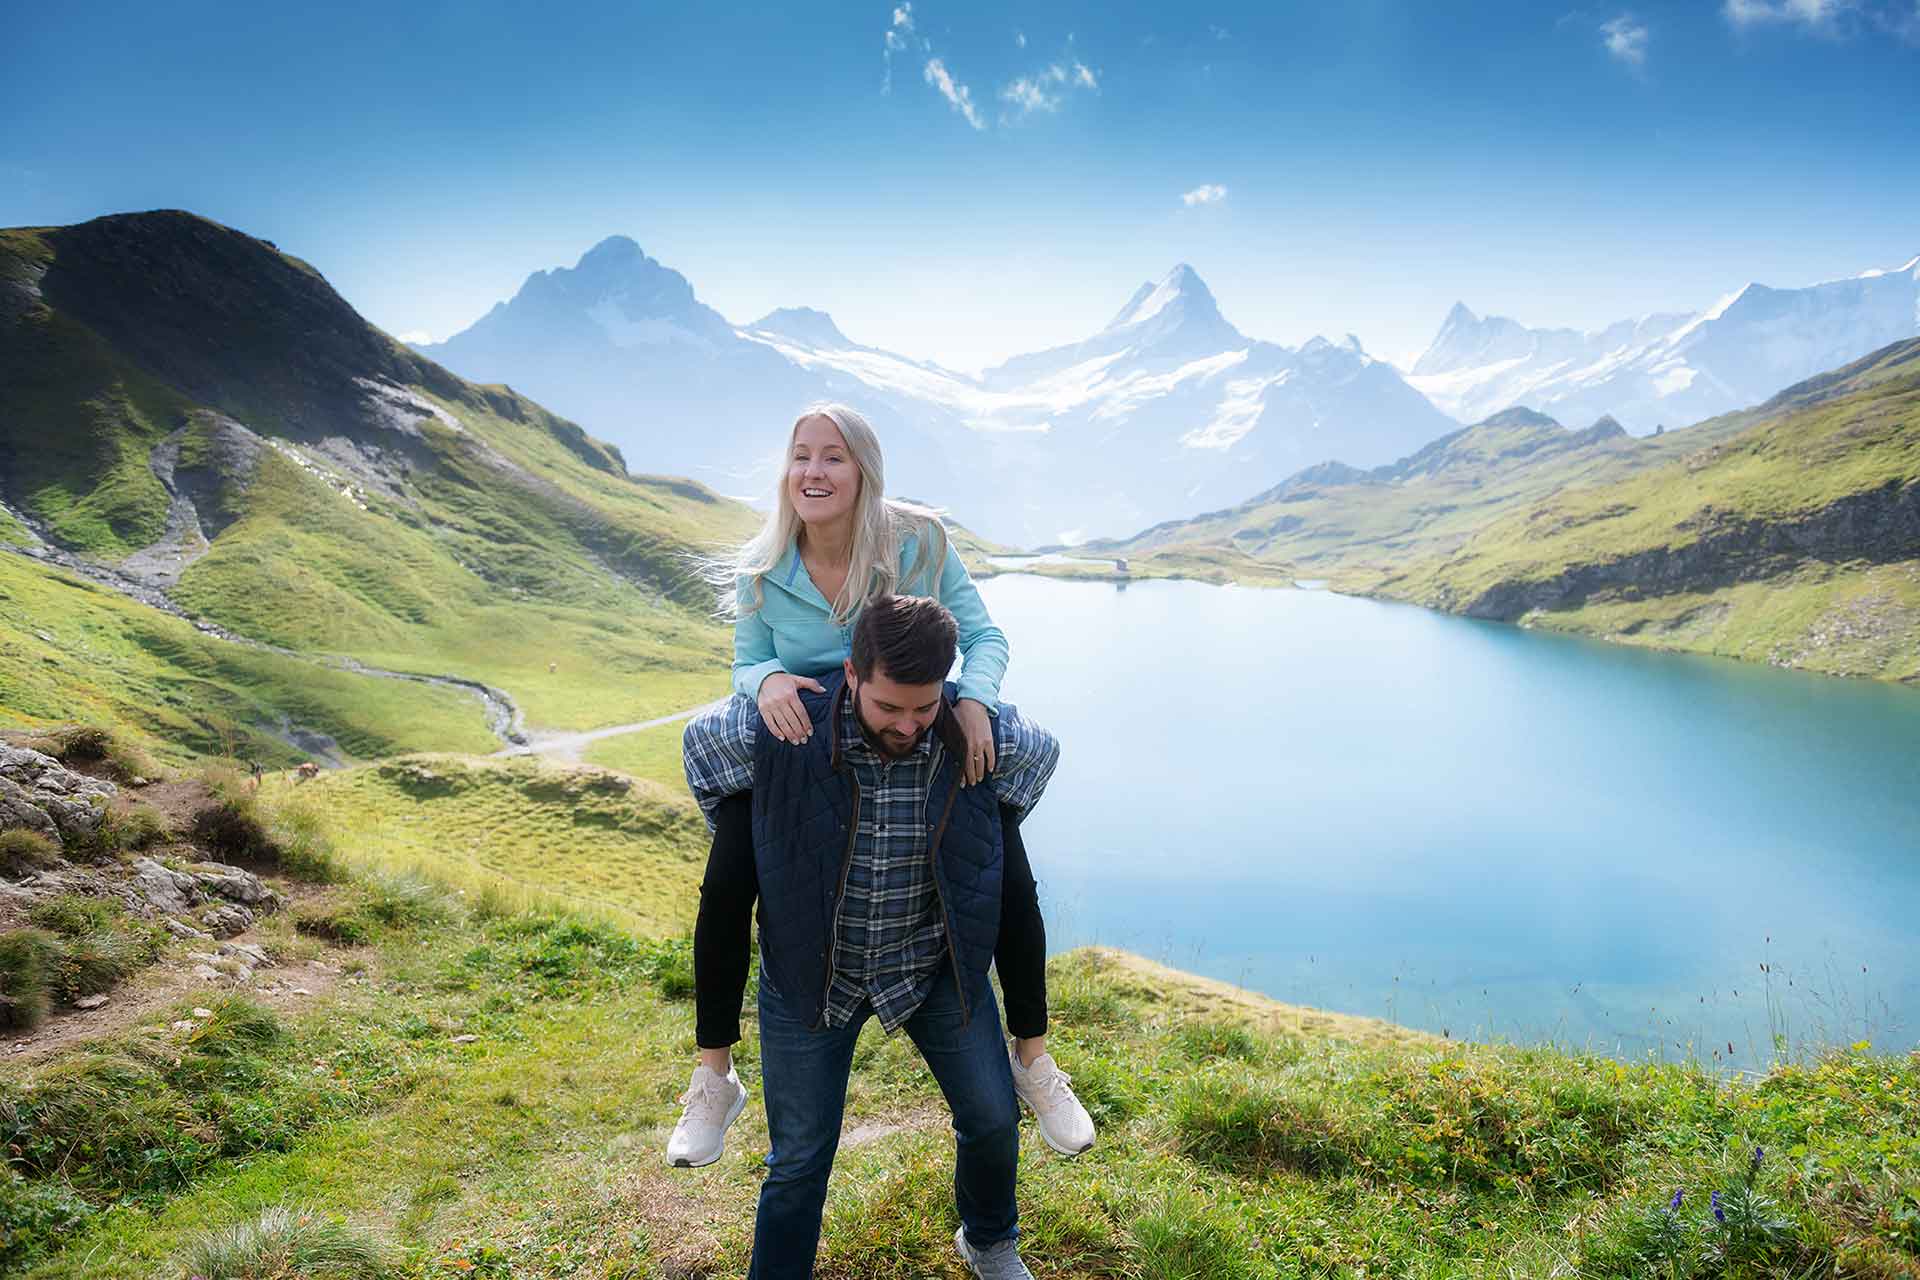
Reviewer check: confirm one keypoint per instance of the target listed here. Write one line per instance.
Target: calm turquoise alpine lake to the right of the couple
(1474, 828)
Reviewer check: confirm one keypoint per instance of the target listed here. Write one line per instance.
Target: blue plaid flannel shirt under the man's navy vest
(890, 937)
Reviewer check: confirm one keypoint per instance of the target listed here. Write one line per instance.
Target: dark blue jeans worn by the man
(804, 1076)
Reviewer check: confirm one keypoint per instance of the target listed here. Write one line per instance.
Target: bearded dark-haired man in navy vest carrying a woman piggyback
(880, 897)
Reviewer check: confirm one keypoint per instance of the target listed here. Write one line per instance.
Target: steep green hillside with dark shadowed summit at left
(203, 414)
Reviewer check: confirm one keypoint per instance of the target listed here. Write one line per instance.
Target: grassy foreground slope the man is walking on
(487, 1087)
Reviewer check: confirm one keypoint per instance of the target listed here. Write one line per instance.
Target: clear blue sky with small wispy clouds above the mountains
(967, 181)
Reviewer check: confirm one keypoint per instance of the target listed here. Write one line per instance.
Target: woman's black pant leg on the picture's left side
(723, 934)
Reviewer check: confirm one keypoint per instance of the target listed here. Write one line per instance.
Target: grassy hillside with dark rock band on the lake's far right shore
(1654, 542)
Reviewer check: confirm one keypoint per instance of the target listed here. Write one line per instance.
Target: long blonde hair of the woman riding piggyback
(880, 525)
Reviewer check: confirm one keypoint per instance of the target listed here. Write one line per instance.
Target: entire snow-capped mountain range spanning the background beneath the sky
(1164, 412)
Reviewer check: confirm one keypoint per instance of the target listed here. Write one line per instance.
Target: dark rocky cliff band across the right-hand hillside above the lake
(1877, 527)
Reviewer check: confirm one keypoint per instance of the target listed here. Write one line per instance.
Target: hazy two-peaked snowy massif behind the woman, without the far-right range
(1164, 410)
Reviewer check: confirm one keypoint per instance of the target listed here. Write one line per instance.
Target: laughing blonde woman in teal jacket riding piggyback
(830, 544)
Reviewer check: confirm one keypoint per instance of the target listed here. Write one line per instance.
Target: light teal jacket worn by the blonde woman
(794, 628)
